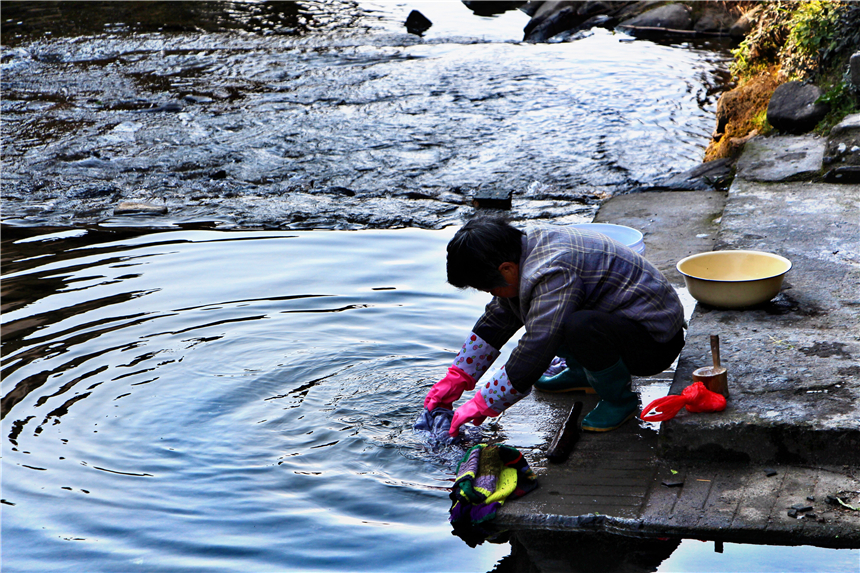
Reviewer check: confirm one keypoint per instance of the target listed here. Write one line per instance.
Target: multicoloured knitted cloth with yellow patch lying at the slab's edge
(487, 476)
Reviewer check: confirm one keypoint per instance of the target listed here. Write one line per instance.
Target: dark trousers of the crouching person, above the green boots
(598, 340)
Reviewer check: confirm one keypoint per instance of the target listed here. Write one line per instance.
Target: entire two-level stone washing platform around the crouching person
(785, 360)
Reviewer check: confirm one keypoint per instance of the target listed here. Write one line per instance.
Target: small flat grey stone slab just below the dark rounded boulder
(784, 158)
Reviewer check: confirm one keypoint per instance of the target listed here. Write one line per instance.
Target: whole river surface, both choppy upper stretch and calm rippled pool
(240, 398)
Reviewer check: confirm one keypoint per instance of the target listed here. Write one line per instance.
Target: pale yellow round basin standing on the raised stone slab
(734, 279)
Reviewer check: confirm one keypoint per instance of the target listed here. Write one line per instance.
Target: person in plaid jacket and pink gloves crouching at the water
(579, 295)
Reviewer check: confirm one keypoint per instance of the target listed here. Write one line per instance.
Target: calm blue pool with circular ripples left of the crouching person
(227, 401)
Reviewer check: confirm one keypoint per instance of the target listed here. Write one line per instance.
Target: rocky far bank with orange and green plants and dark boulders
(774, 100)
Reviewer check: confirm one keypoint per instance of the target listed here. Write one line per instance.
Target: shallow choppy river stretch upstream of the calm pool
(330, 115)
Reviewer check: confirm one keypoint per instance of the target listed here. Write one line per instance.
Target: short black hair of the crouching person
(478, 249)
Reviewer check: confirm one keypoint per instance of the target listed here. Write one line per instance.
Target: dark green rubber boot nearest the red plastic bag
(618, 403)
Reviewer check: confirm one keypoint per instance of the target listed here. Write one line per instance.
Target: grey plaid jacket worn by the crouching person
(563, 270)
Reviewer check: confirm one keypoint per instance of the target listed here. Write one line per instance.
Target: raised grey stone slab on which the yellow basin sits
(794, 378)
